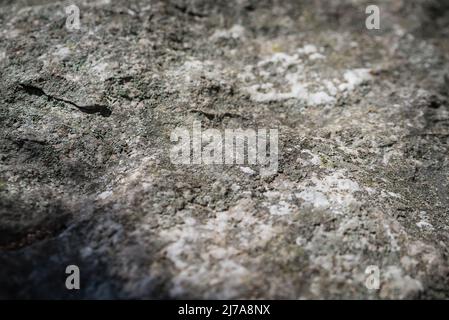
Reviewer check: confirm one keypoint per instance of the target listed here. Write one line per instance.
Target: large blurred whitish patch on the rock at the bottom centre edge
(214, 235)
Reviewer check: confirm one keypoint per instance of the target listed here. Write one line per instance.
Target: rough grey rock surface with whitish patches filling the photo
(86, 178)
